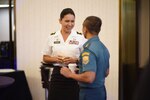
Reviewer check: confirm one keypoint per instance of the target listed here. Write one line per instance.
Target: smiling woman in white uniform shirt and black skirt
(63, 49)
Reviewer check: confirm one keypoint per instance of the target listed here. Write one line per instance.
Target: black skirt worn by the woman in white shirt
(62, 88)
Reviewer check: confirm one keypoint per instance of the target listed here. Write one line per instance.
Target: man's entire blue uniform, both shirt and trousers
(95, 58)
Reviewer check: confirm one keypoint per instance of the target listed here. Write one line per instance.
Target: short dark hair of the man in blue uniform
(93, 24)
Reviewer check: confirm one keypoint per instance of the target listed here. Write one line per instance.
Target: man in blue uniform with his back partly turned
(93, 63)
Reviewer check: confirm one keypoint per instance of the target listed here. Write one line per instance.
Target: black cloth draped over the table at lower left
(19, 90)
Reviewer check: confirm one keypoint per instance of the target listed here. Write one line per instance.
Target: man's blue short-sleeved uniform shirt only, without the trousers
(95, 57)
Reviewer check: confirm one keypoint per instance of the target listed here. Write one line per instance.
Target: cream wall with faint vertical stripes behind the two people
(35, 19)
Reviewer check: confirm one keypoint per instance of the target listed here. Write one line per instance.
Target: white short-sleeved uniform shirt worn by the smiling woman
(72, 47)
